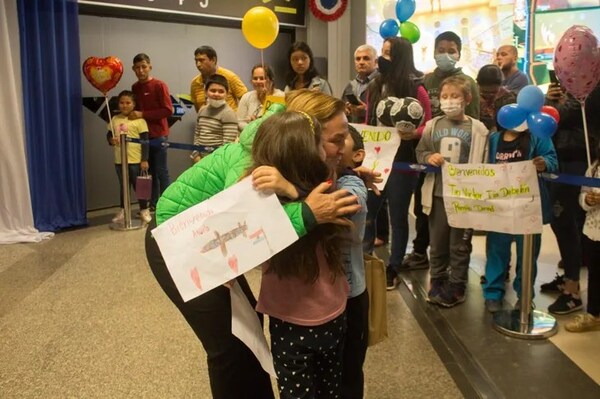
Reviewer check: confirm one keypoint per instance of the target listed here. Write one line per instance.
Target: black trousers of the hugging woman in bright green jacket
(233, 370)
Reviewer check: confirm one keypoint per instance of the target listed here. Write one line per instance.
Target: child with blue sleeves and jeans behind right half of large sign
(513, 146)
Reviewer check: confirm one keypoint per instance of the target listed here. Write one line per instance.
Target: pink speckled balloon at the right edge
(577, 61)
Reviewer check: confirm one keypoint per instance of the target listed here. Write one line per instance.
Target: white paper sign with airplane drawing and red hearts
(223, 237)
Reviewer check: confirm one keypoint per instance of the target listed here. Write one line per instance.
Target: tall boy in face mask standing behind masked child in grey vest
(447, 49)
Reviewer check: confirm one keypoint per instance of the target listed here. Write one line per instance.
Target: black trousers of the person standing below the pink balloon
(568, 220)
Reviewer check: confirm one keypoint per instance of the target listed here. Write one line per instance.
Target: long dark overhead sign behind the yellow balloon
(289, 12)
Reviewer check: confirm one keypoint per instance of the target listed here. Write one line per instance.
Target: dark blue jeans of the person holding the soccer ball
(398, 191)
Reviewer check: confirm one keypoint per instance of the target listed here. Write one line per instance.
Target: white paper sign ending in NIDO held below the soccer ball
(381, 145)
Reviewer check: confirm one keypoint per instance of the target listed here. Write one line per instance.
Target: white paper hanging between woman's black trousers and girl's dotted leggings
(246, 326)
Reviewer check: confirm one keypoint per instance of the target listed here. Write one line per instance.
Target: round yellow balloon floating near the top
(260, 27)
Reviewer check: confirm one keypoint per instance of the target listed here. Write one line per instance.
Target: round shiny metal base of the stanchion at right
(541, 325)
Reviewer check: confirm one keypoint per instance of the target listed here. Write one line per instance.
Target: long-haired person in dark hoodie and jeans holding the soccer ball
(398, 78)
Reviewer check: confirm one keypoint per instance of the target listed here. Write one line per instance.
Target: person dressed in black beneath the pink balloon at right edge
(567, 224)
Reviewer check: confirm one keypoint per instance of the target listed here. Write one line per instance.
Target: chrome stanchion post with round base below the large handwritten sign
(526, 322)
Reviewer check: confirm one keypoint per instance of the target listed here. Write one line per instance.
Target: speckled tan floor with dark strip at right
(81, 316)
